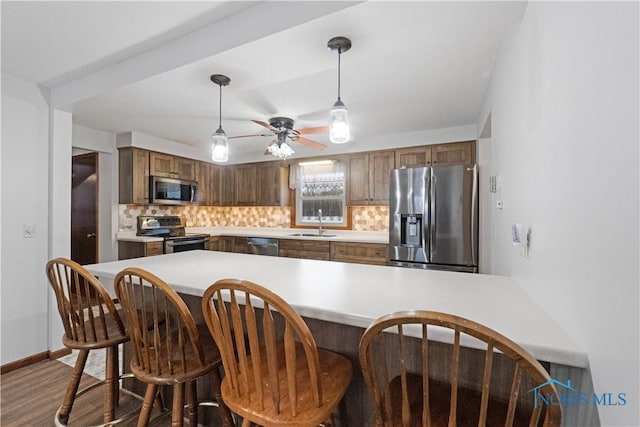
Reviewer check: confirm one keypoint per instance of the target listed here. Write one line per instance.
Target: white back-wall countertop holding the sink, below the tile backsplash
(278, 233)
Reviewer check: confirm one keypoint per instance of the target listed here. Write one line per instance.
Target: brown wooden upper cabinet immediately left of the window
(272, 184)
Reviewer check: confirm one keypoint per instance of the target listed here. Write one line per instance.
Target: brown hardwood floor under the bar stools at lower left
(31, 395)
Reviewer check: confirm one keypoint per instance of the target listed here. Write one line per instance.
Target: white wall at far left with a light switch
(25, 189)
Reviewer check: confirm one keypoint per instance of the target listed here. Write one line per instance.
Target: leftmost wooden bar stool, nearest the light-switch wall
(91, 321)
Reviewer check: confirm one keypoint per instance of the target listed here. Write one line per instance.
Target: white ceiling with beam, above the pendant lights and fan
(144, 67)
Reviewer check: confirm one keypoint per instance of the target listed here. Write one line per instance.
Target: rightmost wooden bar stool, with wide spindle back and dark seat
(411, 396)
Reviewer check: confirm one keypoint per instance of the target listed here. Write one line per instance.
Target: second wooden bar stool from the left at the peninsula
(168, 347)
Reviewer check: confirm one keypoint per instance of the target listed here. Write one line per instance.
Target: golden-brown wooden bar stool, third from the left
(274, 373)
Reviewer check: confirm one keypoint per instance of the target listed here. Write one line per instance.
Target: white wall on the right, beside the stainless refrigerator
(564, 114)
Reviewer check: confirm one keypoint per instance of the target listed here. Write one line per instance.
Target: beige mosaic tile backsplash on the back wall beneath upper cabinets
(364, 218)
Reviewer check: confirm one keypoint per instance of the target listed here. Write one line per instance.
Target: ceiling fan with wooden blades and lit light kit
(282, 129)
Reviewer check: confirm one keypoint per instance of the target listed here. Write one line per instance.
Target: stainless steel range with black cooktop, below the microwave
(172, 229)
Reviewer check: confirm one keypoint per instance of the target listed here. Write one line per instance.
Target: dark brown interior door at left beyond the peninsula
(84, 208)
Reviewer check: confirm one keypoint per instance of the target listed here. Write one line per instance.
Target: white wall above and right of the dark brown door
(104, 143)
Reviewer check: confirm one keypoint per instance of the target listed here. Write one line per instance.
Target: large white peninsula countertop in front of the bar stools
(356, 294)
